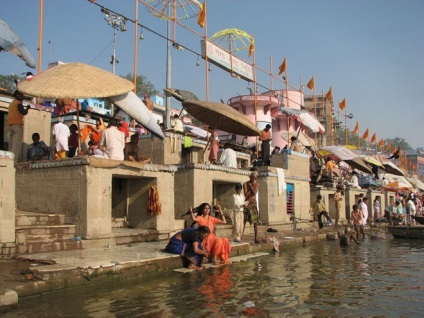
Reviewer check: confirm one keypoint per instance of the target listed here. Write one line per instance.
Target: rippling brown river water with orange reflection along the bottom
(381, 277)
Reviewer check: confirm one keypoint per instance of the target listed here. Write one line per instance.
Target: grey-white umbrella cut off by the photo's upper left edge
(9, 41)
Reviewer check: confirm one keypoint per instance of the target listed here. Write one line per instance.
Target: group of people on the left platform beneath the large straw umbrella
(105, 141)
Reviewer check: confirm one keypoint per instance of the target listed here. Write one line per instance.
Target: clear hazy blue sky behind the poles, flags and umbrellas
(370, 52)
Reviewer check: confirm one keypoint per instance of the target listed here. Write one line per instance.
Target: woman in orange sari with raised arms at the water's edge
(218, 248)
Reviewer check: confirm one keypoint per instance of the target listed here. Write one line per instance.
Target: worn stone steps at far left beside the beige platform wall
(44, 232)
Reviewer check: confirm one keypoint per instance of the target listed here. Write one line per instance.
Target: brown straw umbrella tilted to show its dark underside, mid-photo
(221, 117)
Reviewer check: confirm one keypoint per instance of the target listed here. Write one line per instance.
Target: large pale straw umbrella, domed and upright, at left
(75, 80)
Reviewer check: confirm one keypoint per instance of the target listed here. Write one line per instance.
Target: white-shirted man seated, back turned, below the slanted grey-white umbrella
(113, 141)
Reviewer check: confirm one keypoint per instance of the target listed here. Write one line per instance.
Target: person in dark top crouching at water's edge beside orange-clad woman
(188, 243)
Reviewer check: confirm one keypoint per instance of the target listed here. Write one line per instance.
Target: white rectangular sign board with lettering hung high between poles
(225, 60)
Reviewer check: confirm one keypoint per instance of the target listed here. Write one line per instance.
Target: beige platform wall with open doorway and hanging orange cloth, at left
(81, 189)
